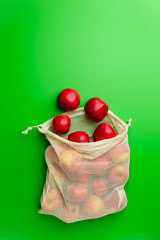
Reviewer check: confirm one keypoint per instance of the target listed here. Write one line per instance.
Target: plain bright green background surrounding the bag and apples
(109, 49)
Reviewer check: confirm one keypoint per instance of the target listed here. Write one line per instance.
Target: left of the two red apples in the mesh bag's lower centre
(77, 192)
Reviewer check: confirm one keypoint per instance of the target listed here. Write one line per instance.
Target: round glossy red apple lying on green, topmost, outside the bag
(68, 99)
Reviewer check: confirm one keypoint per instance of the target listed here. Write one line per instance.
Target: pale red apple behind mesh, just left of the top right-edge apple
(100, 164)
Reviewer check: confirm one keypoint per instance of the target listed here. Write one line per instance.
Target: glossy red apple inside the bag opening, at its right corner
(103, 131)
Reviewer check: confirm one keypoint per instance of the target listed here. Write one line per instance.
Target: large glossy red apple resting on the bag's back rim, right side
(96, 109)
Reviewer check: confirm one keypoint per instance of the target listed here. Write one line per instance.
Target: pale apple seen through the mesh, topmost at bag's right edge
(119, 153)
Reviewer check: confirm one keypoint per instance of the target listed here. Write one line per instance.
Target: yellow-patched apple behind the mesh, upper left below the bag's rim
(70, 160)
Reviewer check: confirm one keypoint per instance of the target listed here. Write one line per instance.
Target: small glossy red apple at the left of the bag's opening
(61, 124)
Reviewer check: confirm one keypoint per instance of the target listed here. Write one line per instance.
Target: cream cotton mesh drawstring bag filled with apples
(85, 180)
